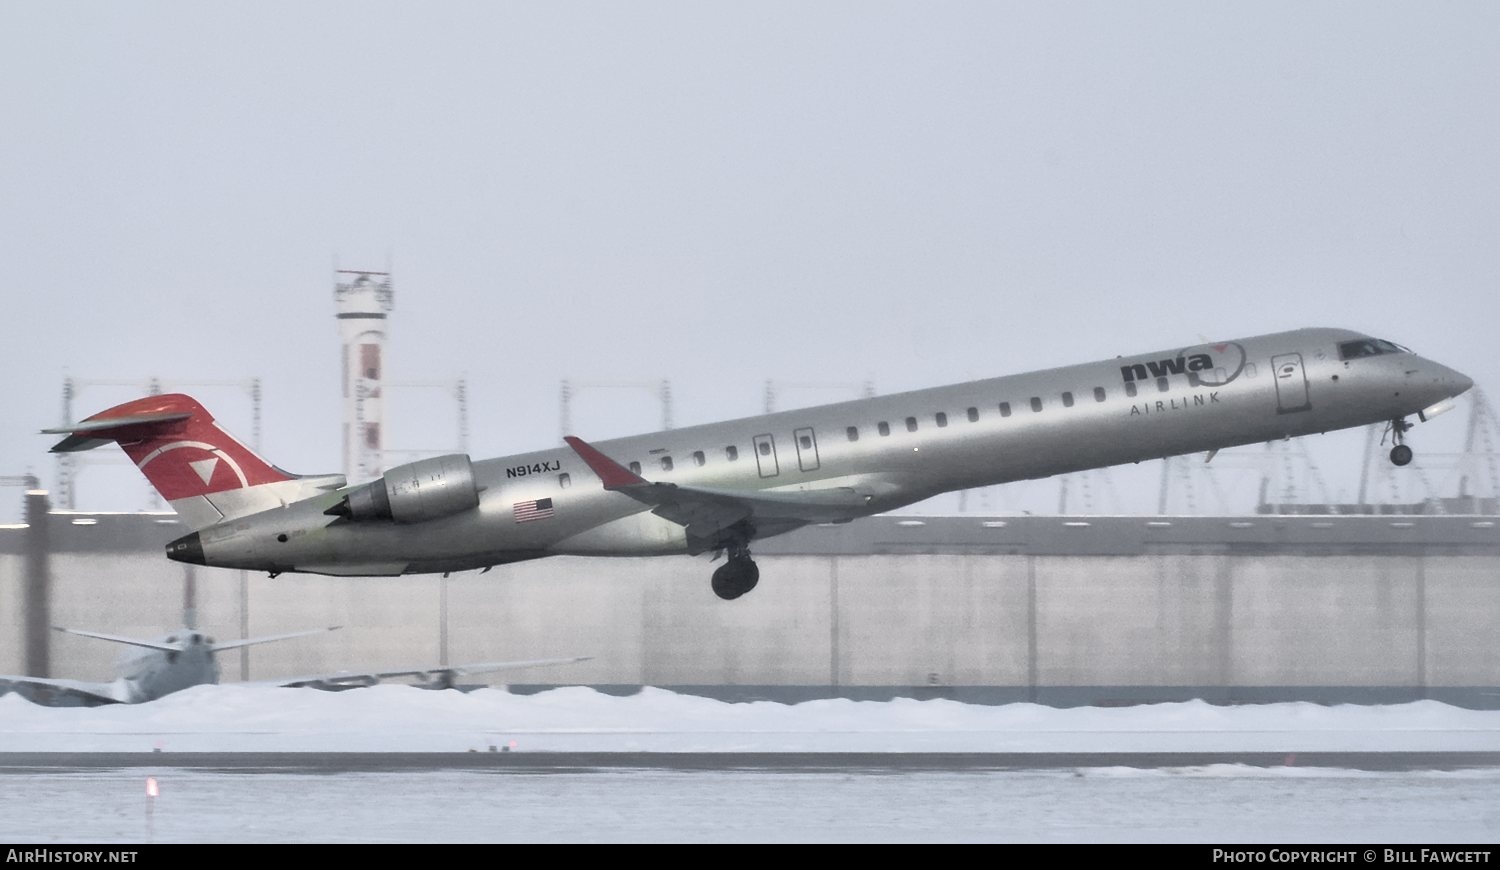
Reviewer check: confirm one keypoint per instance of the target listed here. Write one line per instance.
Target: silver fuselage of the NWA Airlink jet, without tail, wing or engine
(892, 451)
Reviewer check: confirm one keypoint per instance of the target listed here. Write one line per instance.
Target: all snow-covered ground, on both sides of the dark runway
(1222, 803)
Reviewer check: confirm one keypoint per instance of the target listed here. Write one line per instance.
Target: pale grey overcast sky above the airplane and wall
(721, 194)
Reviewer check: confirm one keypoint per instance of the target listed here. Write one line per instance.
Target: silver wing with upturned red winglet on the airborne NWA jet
(707, 514)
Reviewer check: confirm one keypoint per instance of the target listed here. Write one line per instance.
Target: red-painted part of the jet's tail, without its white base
(175, 442)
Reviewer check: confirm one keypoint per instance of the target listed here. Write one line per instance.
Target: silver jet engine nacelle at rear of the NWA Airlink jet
(415, 493)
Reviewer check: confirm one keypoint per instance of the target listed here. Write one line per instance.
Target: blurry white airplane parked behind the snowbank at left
(188, 658)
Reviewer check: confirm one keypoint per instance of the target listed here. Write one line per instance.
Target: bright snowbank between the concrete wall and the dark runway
(407, 719)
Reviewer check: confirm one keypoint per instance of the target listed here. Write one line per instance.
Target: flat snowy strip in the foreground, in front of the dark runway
(1198, 805)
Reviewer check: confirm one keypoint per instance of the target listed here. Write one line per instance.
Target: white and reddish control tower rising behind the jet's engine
(364, 299)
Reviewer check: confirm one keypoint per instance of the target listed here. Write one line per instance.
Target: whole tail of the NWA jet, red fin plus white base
(203, 472)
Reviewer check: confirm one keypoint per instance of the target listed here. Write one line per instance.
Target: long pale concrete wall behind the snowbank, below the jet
(1250, 625)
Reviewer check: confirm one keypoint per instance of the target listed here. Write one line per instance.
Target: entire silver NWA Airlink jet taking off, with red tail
(718, 488)
